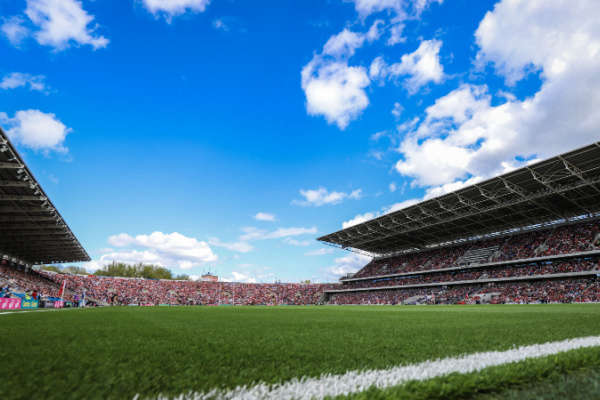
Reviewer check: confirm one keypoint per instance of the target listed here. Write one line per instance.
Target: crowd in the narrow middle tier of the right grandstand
(492, 272)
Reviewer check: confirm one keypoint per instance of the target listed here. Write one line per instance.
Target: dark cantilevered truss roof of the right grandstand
(560, 188)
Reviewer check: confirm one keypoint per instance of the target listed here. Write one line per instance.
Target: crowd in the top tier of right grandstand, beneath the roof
(559, 240)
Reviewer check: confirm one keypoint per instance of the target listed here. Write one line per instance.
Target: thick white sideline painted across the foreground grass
(359, 381)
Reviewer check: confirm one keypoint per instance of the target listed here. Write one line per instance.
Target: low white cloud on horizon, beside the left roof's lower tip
(165, 249)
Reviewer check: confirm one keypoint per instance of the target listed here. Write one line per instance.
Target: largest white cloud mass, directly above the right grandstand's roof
(465, 136)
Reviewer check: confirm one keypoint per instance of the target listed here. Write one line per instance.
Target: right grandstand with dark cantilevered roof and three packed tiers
(531, 235)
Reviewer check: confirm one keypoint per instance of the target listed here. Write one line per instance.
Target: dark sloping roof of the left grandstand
(31, 228)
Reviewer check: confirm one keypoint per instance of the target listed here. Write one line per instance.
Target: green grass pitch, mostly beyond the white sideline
(120, 352)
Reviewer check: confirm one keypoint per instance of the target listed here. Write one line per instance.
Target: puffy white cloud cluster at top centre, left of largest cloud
(336, 90)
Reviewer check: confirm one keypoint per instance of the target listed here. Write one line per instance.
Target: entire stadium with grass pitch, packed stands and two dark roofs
(531, 236)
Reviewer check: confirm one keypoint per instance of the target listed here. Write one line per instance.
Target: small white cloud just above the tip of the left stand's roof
(36, 130)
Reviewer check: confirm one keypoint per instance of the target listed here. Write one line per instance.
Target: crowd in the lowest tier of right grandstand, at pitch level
(542, 291)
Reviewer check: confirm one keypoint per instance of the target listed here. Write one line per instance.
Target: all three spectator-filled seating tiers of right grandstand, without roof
(530, 256)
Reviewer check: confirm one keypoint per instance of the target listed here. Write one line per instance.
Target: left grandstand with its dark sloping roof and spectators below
(33, 231)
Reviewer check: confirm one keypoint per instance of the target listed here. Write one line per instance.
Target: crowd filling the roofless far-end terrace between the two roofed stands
(123, 291)
